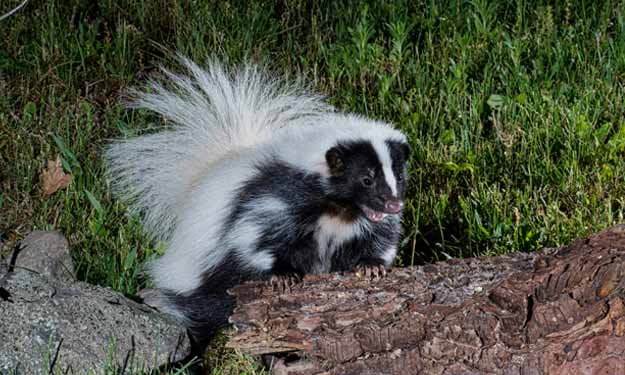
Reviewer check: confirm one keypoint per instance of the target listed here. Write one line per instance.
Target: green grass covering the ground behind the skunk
(515, 110)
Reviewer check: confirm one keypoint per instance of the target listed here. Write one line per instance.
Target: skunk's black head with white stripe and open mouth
(370, 176)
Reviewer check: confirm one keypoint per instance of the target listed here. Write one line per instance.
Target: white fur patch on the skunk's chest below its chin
(331, 232)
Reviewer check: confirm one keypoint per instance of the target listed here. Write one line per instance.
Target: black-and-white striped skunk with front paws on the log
(255, 178)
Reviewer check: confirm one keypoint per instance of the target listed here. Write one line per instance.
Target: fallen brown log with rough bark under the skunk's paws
(557, 311)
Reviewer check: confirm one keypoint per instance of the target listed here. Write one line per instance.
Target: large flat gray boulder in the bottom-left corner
(78, 328)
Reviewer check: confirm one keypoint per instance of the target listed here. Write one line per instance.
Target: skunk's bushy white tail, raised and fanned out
(212, 112)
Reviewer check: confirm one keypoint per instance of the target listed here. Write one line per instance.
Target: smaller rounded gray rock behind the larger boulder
(47, 253)
